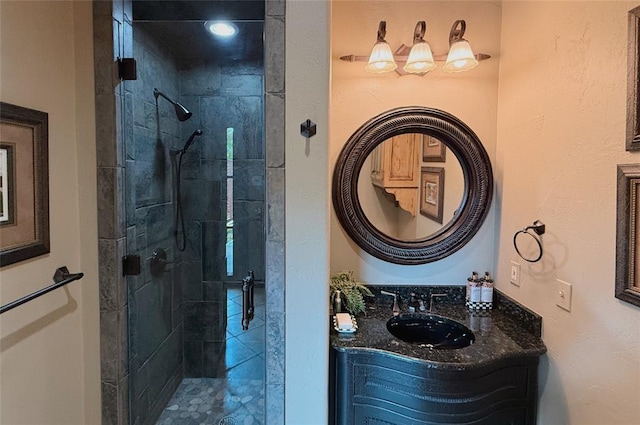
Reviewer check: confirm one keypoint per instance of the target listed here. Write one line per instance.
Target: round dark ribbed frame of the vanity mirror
(477, 194)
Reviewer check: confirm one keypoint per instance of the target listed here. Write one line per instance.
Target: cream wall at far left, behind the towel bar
(49, 347)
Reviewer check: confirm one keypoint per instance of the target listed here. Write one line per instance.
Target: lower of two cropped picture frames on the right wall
(628, 234)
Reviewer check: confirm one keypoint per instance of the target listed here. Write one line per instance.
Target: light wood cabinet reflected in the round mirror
(395, 168)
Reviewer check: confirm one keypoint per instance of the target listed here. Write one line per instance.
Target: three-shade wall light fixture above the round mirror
(419, 60)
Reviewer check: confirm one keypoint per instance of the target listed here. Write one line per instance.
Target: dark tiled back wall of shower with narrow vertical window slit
(222, 95)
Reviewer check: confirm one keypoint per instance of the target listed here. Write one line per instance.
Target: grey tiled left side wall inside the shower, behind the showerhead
(155, 301)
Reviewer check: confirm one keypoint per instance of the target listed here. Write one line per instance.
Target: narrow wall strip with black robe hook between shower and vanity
(307, 216)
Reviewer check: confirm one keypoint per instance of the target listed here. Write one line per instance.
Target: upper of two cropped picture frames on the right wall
(633, 85)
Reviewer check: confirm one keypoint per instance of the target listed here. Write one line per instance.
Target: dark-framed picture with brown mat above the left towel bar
(24, 183)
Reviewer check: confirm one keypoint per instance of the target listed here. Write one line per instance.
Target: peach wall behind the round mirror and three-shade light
(356, 96)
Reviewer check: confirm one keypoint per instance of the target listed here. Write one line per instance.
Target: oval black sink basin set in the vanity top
(430, 331)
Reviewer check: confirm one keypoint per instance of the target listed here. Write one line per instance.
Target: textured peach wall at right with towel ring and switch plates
(561, 132)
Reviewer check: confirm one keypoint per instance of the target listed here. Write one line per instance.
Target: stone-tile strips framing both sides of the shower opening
(112, 22)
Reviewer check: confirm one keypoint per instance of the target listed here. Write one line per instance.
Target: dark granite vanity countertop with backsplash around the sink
(507, 331)
